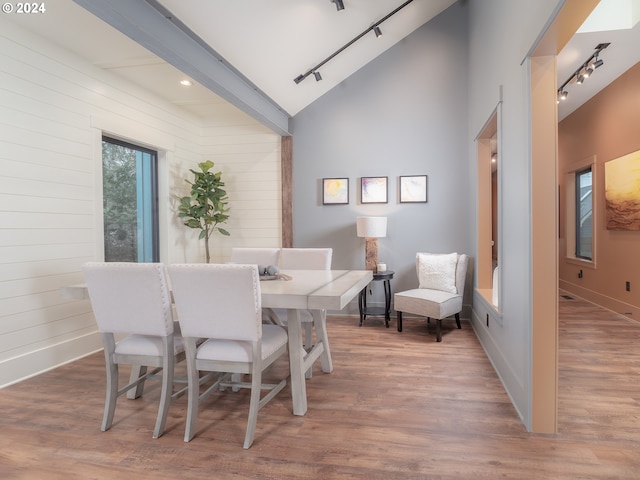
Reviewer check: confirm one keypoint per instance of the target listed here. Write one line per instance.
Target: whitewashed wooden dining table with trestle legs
(314, 290)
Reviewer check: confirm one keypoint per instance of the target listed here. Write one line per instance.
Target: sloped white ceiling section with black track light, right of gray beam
(272, 42)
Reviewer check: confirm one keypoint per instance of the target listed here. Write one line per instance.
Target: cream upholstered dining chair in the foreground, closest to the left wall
(134, 299)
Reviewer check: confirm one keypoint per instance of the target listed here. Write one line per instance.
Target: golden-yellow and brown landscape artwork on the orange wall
(622, 192)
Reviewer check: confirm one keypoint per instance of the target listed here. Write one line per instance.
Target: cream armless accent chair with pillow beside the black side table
(441, 289)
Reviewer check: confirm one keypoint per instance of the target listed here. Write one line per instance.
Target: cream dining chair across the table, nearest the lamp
(306, 259)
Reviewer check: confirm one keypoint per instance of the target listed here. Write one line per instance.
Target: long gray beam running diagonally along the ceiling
(152, 26)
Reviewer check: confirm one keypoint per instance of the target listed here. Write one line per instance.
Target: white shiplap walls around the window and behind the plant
(54, 108)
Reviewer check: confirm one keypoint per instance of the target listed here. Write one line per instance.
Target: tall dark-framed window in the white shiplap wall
(130, 202)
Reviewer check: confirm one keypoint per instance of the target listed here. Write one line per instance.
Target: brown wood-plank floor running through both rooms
(398, 406)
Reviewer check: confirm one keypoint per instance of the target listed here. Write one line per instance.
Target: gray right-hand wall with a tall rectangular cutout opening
(501, 34)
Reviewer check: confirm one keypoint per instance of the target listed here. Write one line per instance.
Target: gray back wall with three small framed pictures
(403, 114)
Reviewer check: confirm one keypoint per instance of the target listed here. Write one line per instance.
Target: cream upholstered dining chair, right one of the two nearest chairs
(222, 304)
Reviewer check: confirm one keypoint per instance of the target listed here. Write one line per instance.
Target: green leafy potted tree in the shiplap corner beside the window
(206, 207)
